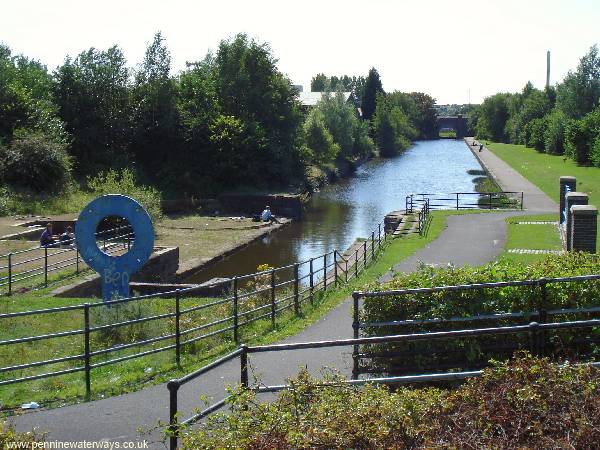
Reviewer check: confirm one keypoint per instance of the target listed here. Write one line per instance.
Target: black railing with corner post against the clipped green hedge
(540, 310)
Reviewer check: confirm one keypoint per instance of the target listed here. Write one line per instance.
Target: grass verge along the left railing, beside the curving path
(135, 374)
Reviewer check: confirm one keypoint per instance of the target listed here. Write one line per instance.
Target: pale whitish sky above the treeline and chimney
(445, 48)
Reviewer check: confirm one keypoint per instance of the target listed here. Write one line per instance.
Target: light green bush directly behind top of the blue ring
(124, 182)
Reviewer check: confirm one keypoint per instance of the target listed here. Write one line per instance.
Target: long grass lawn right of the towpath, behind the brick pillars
(544, 171)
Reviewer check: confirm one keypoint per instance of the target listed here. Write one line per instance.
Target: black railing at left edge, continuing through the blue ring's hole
(26, 265)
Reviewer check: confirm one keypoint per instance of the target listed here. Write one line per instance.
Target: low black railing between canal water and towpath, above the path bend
(466, 200)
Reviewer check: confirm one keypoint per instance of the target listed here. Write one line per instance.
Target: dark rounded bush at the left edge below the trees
(36, 162)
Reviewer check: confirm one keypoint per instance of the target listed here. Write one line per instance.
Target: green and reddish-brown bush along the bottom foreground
(528, 403)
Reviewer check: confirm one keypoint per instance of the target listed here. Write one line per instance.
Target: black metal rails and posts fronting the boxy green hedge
(540, 310)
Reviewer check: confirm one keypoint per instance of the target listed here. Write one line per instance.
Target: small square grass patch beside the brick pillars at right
(534, 237)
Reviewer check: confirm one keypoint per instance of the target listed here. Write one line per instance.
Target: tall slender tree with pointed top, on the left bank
(156, 133)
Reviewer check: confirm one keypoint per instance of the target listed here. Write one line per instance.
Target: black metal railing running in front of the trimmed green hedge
(456, 356)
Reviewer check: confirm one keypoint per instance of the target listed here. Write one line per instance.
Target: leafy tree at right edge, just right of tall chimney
(579, 92)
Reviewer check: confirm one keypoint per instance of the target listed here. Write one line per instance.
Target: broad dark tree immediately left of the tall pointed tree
(93, 96)
